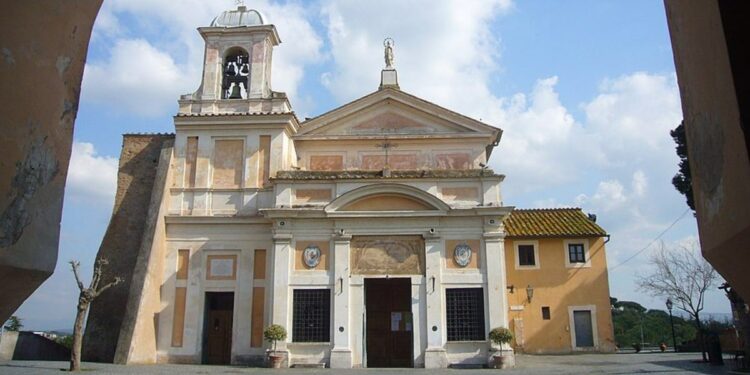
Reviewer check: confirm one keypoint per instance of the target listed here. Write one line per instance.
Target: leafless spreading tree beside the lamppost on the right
(684, 276)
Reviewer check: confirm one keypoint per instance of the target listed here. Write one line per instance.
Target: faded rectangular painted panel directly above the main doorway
(387, 255)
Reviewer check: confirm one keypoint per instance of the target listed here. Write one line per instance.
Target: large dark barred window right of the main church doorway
(465, 314)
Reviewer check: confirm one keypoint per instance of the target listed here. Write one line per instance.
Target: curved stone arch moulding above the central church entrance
(438, 207)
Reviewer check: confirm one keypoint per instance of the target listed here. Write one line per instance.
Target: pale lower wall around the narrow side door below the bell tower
(207, 242)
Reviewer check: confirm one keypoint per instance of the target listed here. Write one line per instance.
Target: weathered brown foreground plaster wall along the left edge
(40, 73)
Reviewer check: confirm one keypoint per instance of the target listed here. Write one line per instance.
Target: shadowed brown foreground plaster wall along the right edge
(714, 92)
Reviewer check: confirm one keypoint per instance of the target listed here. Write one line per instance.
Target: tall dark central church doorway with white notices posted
(389, 327)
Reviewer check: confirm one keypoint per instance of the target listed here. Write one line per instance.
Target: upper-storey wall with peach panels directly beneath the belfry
(229, 171)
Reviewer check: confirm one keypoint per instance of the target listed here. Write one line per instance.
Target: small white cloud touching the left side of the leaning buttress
(91, 177)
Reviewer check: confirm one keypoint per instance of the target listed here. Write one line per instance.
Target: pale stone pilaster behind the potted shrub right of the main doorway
(497, 298)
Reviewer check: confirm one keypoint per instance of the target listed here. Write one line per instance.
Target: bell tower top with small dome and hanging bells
(237, 64)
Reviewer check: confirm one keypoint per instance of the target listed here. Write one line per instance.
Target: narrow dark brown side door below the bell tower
(217, 328)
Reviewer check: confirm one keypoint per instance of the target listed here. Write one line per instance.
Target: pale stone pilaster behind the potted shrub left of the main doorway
(282, 257)
